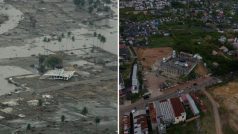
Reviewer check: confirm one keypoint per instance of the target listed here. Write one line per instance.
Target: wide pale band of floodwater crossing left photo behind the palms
(82, 40)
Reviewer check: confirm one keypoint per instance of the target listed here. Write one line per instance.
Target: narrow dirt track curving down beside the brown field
(218, 125)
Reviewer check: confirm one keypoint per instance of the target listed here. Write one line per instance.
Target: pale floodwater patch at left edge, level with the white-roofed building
(8, 71)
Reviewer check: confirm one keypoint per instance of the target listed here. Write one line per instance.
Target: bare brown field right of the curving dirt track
(226, 96)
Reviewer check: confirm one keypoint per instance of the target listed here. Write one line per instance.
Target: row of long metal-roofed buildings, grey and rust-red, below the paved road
(162, 114)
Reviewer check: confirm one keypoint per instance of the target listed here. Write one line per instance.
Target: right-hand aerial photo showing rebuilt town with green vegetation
(178, 71)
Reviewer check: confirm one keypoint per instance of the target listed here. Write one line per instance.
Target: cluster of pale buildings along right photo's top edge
(141, 5)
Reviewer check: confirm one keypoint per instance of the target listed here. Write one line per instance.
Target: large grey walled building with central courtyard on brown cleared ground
(177, 65)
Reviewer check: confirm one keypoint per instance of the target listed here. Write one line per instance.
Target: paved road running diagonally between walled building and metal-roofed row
(184, 88)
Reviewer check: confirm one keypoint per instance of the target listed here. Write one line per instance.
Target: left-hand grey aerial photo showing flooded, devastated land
(58, 66)
